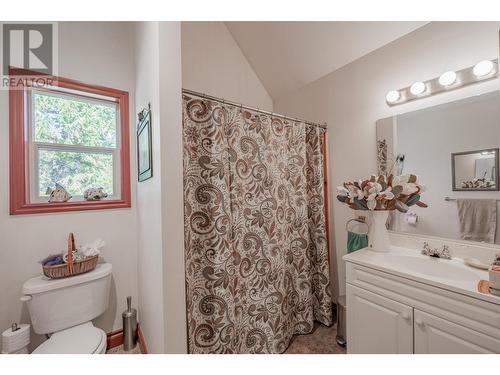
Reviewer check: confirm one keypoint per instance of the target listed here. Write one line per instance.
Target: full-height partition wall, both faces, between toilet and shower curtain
(162, 303)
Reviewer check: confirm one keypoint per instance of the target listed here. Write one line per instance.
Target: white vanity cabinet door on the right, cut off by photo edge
(434, 335)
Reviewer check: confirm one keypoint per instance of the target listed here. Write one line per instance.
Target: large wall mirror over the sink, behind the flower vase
(453, 148)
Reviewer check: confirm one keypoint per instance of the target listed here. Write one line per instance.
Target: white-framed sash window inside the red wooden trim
(73, 142)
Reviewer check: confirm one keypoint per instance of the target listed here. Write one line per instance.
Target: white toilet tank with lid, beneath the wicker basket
(57, 304)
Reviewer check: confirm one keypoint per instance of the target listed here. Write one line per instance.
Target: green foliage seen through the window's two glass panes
(70, 121)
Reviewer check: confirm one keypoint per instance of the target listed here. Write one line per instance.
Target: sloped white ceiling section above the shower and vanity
(289, 55)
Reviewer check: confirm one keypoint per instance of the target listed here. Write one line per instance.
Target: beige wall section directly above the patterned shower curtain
(212, 63)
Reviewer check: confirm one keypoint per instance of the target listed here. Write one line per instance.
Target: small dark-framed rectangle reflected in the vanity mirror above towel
(475, 170)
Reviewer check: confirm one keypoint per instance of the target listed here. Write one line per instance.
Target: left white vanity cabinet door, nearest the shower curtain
(376, 324)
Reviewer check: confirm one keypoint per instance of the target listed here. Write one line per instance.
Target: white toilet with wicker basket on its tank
(64, 309)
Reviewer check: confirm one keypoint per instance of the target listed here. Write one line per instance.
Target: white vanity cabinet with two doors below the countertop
(387, 313)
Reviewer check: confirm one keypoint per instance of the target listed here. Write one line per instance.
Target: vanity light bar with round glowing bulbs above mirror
(450, 80)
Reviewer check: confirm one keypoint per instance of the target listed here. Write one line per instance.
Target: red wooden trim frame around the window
(18, 148)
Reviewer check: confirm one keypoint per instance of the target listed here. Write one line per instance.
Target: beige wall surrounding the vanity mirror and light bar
(352, 98)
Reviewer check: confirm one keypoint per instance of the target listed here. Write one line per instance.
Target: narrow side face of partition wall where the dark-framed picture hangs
(150, 255)
